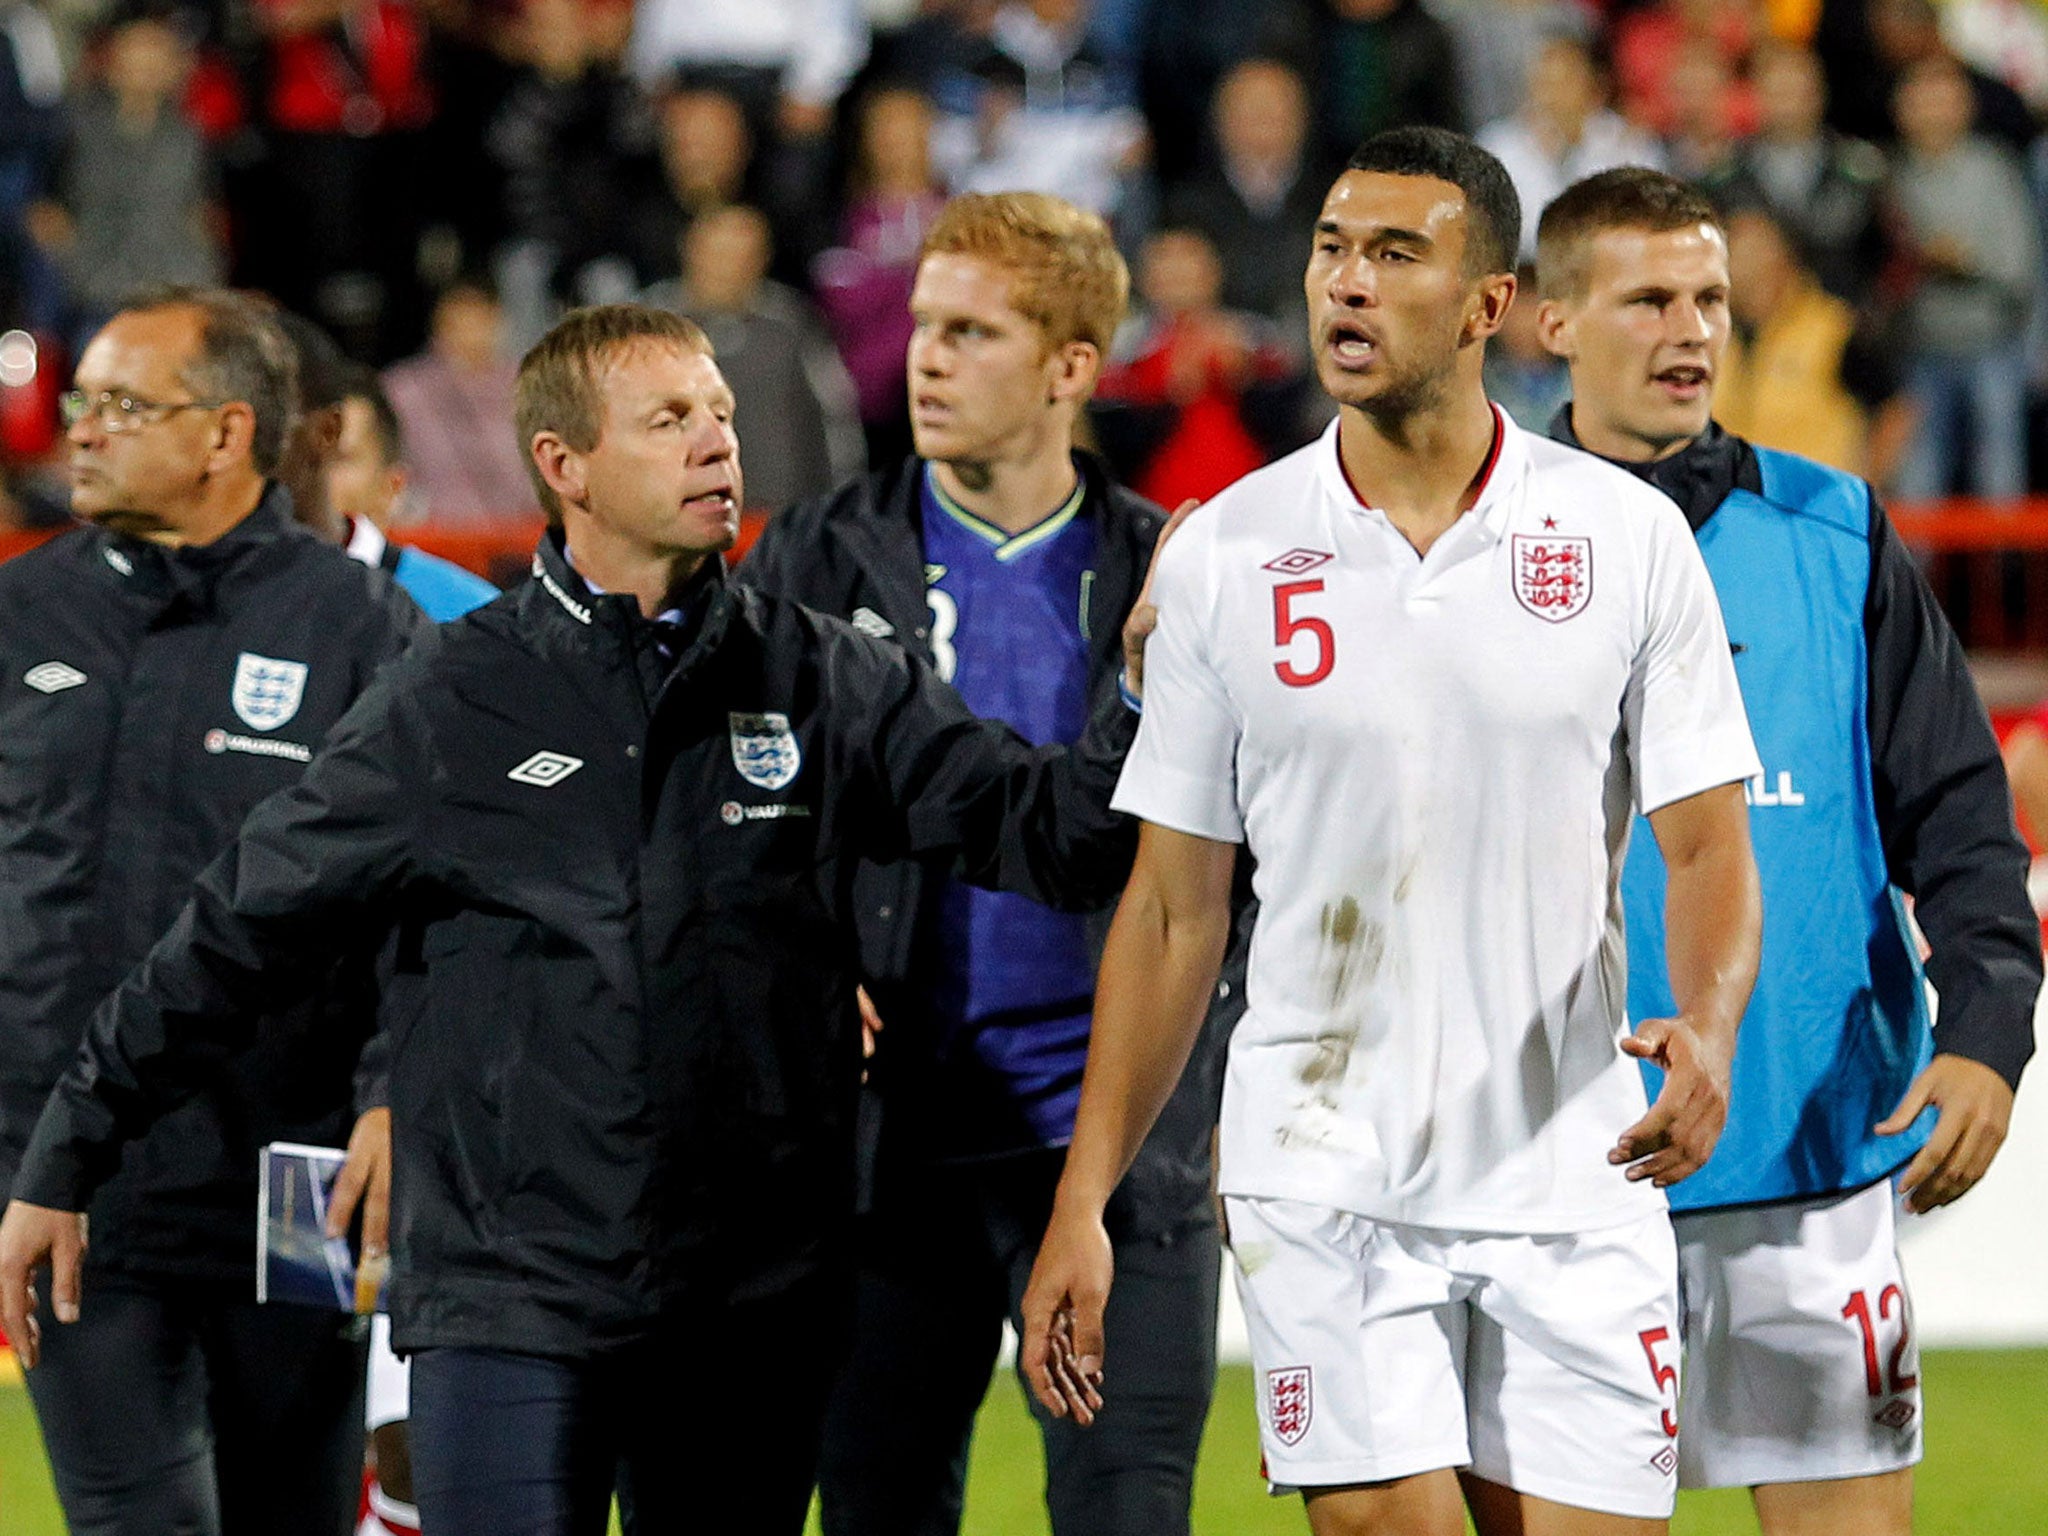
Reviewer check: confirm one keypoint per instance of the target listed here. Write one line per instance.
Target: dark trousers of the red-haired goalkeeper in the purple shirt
(943, 1265)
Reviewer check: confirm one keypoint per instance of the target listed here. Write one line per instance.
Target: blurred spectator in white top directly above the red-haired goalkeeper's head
(1043, 110)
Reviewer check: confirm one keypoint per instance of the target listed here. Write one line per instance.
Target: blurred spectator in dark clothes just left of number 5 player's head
(1261, 194)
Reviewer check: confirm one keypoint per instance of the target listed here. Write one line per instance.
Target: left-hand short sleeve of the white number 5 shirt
(1183, 769)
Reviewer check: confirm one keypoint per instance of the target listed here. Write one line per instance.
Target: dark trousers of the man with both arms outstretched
(712, 1428)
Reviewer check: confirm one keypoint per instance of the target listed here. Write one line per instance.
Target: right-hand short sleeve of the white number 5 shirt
(1684, 710)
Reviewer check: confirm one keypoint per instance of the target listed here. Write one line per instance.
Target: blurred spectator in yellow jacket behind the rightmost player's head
(1801, 374)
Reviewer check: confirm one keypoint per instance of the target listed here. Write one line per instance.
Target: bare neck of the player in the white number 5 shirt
(1424, 470)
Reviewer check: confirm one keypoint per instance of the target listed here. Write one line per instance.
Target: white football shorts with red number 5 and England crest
(1549, 1365)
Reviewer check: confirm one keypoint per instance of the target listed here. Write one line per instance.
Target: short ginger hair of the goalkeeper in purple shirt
(1070, 280)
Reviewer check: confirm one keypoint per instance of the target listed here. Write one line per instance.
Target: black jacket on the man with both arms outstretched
(628, 1080)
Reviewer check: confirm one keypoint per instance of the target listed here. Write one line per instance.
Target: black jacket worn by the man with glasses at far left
(126, 767)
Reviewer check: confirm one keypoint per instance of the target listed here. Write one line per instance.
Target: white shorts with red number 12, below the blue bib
(1801, 1361)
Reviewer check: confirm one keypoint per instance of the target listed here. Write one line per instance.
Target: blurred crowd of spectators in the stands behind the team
(435, 181)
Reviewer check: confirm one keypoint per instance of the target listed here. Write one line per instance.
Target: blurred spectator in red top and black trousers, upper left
(339, 224)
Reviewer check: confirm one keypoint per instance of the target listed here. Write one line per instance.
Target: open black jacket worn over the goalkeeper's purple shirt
(859, 554)
